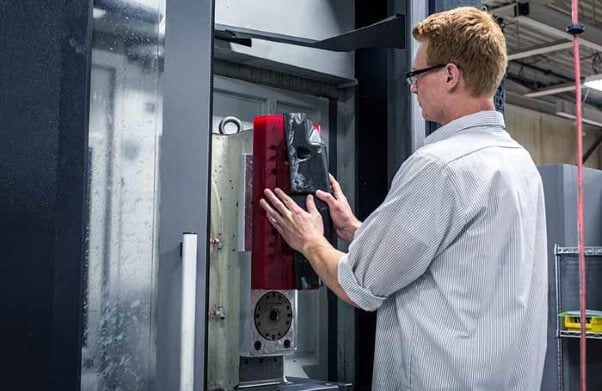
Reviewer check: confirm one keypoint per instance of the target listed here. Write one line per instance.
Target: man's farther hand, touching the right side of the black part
(344, 221)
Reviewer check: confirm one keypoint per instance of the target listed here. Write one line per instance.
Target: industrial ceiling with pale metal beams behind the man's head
(540, 70)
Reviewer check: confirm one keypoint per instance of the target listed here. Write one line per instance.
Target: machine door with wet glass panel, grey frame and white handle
(144, 275)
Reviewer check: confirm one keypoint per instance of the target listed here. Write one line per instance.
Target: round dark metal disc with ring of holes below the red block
(273, 315)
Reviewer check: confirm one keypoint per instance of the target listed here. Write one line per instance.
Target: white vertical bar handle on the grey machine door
(187, 324)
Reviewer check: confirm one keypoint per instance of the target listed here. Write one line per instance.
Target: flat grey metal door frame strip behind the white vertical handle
(184, 169)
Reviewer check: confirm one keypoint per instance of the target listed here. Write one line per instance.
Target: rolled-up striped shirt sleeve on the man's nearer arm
(395, 245)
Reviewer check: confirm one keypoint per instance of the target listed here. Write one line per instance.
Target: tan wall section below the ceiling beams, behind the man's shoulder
(548, 138)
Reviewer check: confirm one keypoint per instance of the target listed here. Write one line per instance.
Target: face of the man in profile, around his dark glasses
(428, 86)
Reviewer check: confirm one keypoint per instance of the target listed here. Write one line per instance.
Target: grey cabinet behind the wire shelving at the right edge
(560, 190)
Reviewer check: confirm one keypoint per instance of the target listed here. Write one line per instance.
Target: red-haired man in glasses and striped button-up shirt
(454, 259)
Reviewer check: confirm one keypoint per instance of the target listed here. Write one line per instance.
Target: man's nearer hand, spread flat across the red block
(300, 229)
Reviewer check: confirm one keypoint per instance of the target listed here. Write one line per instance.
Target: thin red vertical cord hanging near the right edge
(580, 237)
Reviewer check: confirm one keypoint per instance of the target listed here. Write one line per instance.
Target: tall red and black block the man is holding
(287, 153)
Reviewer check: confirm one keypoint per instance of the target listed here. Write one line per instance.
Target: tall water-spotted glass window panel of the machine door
(125, 129)
